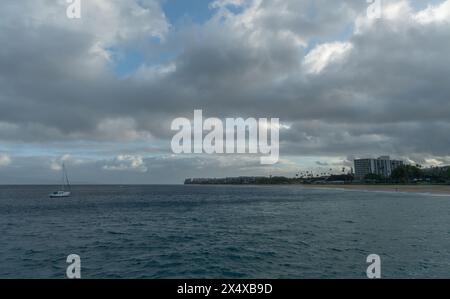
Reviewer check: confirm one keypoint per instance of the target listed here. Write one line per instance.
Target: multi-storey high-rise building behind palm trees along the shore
(382, 166)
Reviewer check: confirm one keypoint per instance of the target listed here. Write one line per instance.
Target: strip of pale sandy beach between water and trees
(431, 189)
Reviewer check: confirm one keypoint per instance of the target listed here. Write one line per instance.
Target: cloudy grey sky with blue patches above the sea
(99, 93)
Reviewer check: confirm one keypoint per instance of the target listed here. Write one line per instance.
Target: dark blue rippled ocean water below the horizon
(222, 232)
